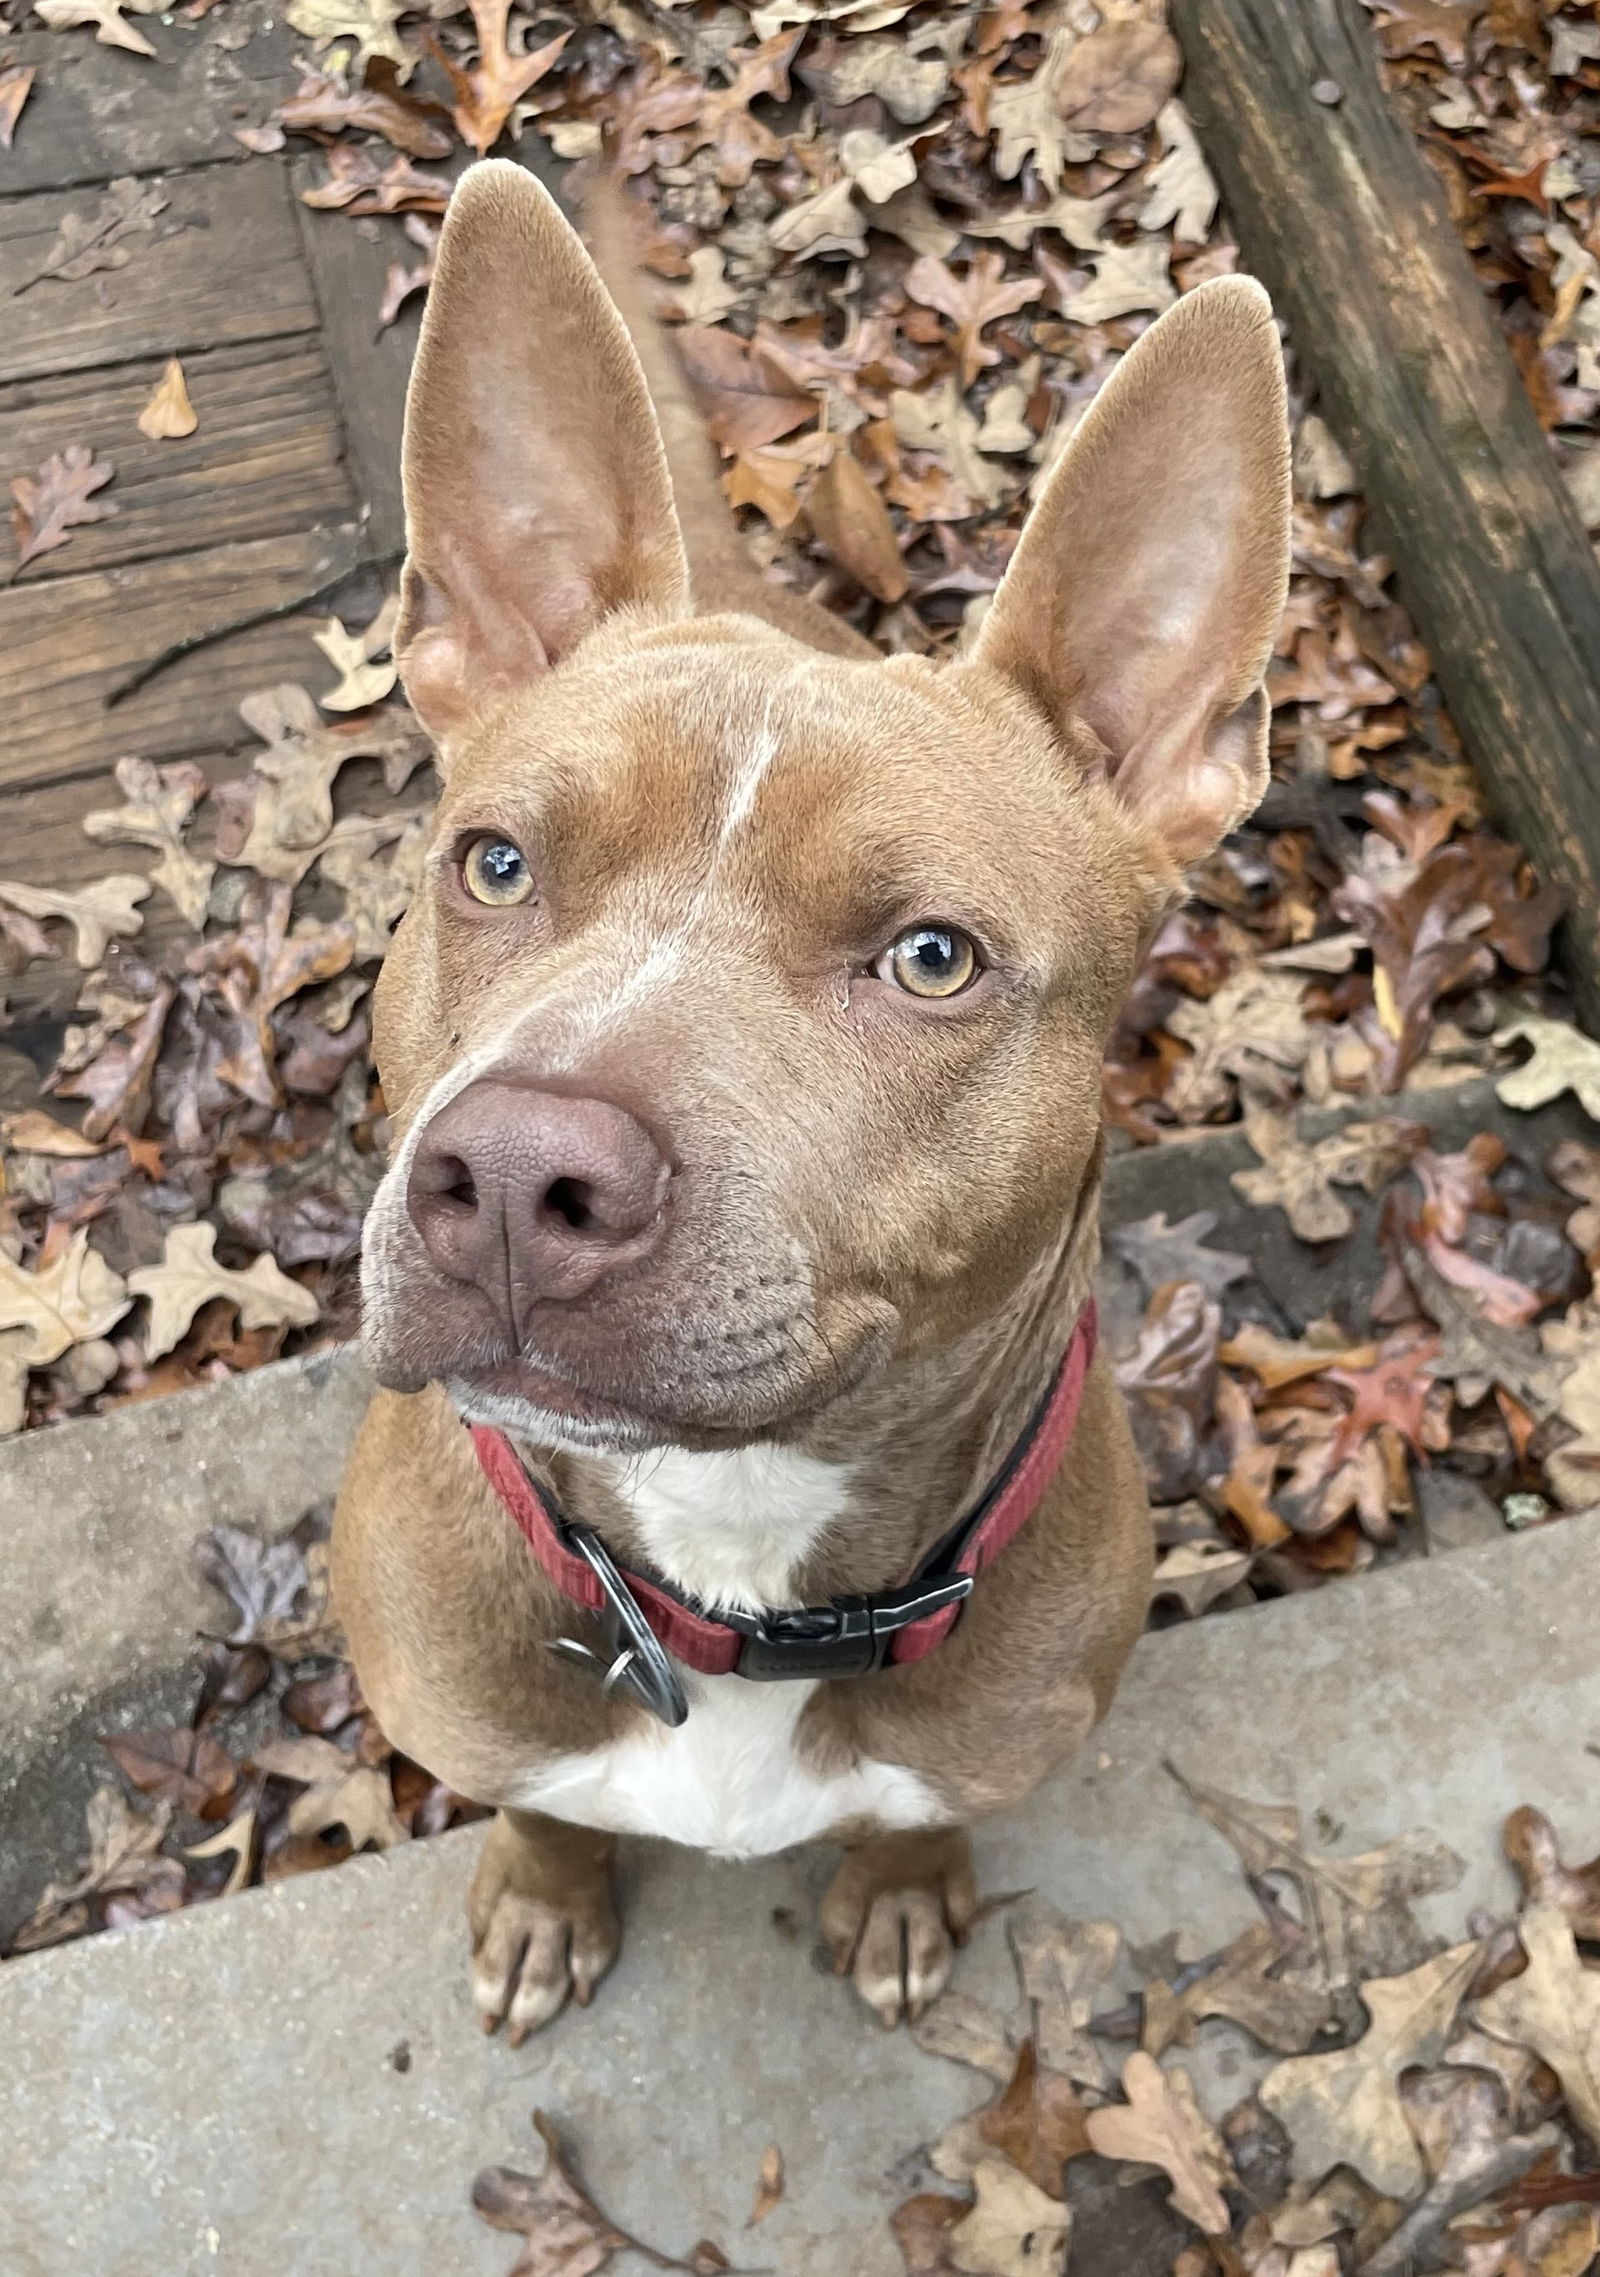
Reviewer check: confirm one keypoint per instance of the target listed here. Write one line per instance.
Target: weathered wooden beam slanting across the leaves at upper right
(1349, 227)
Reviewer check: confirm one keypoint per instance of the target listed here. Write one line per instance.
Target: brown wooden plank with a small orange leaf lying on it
(265, 459)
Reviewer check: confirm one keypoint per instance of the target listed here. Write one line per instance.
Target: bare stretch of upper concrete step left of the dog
(99, 1602)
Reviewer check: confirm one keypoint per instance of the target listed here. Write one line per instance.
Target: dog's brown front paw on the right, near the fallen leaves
(896, 1914)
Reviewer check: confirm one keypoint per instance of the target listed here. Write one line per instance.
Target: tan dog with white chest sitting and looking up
(743, 1049)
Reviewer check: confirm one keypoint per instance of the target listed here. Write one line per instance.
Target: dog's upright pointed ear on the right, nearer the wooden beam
(1148, 584)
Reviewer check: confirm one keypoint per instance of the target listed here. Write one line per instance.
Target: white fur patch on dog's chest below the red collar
(727, 1782)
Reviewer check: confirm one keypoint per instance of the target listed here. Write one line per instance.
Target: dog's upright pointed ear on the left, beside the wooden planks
(536, 484)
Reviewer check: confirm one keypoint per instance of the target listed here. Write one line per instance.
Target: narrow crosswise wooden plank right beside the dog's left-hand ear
(349, 263)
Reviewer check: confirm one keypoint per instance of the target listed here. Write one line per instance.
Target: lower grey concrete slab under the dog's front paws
(220, 2091)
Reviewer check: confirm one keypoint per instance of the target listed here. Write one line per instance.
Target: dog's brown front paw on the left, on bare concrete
(543, 1921)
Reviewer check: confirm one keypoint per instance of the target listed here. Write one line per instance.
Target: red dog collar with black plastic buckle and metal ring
(846, 1638)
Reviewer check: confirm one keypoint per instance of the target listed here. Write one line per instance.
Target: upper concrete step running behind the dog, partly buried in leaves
(99, 1604)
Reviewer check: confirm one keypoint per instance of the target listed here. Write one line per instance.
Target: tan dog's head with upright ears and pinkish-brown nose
(743, 1039)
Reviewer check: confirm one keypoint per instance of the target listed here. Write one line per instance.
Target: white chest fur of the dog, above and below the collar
(734, 1531)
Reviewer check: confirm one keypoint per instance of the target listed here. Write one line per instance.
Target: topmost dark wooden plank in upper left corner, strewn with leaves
(99, 110)
